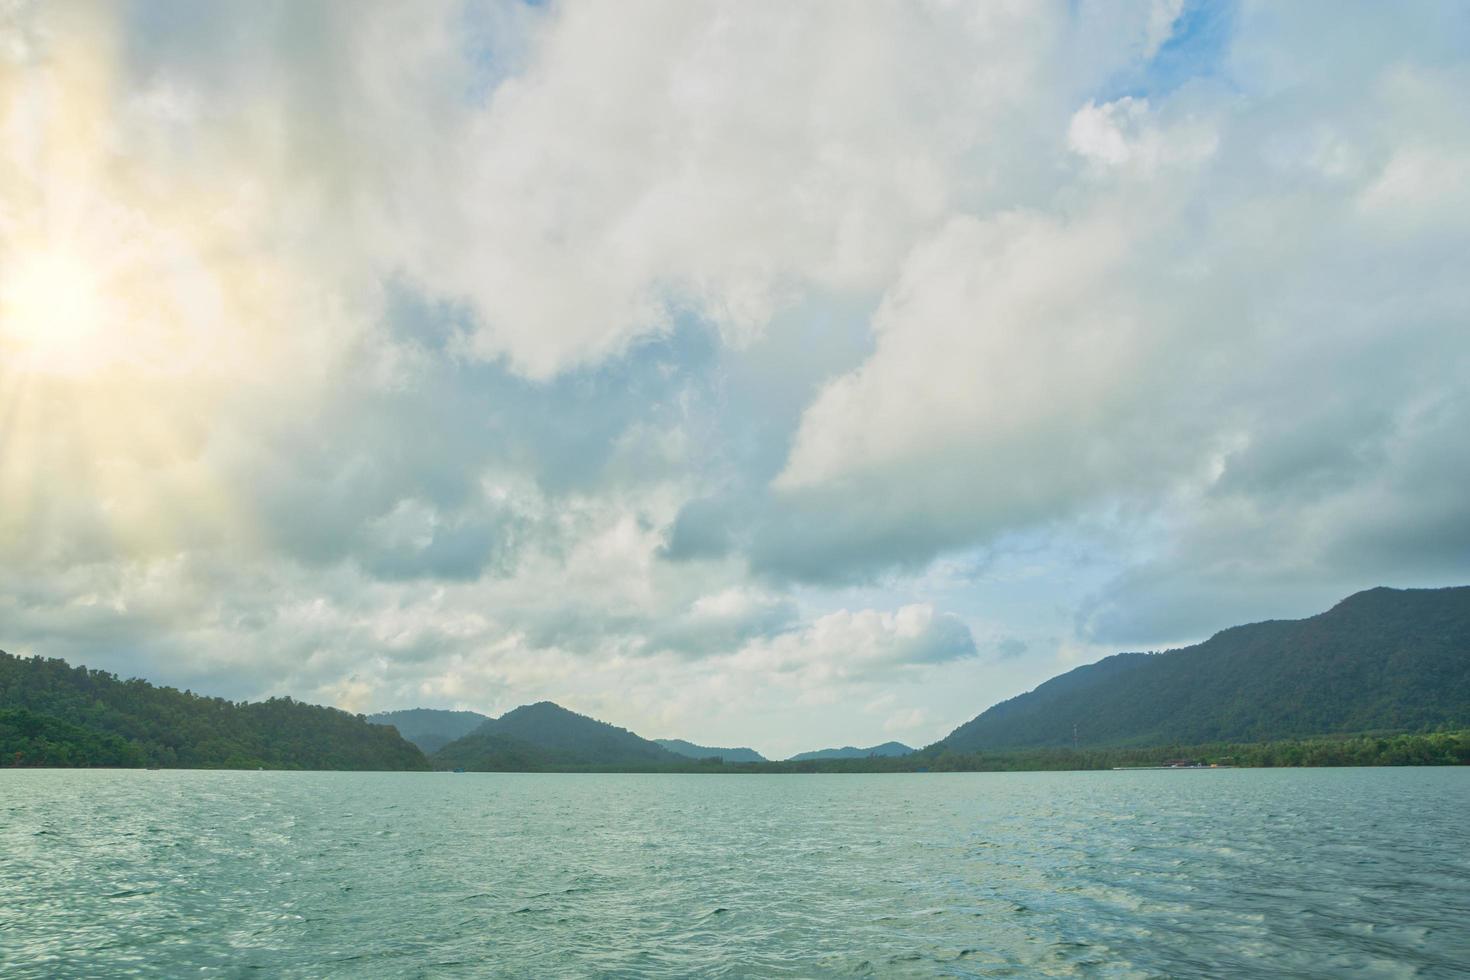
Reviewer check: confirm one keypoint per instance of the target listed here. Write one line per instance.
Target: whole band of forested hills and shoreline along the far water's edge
(1380, 680)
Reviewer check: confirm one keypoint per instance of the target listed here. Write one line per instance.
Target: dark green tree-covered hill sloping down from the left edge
(57, 715)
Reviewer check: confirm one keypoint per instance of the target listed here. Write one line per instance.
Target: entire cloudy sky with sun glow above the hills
(758, 374)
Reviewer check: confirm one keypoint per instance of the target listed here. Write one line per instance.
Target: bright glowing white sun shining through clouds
(52, 312)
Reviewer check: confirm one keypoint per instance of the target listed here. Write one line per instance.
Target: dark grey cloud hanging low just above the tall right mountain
(1299, 521)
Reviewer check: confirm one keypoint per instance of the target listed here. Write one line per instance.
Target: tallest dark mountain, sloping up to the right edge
(1384, 660)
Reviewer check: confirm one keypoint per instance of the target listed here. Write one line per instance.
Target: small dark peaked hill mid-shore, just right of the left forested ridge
(546, 735)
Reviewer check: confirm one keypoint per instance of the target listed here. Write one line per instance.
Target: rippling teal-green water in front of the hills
(1315, 873)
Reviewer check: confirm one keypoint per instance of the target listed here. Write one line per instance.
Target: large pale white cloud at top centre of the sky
(720, 159)
